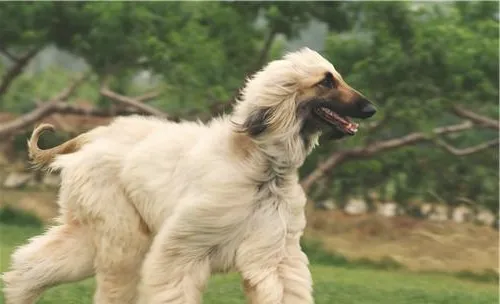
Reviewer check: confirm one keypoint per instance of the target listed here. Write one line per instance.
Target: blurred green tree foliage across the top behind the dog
(417, 61)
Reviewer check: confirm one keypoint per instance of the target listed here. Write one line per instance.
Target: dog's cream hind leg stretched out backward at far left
(63, 254)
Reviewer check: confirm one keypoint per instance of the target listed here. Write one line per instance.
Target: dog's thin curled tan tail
(43, 157)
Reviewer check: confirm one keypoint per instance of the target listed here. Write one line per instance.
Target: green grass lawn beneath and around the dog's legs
(333, 284)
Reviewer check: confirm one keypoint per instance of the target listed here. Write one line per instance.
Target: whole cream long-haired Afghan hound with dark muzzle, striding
(152, 208)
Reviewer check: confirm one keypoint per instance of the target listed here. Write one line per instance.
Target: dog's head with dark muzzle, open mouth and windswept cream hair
(303, 93)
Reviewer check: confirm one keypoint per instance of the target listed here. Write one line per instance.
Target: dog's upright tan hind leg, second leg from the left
(123, 240)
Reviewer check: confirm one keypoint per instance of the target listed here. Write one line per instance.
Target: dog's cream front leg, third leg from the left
(175, 271)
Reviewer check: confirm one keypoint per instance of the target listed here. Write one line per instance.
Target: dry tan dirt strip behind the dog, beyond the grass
(420, 245)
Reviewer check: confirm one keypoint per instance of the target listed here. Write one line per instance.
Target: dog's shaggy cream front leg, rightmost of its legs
(271, 262)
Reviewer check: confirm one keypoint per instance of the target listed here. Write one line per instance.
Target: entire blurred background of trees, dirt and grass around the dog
(409, 205)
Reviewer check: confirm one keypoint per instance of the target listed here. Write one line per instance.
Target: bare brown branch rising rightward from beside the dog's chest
(376, 147)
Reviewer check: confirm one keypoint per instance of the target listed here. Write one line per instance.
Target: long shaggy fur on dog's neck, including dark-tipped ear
(278, 149)
